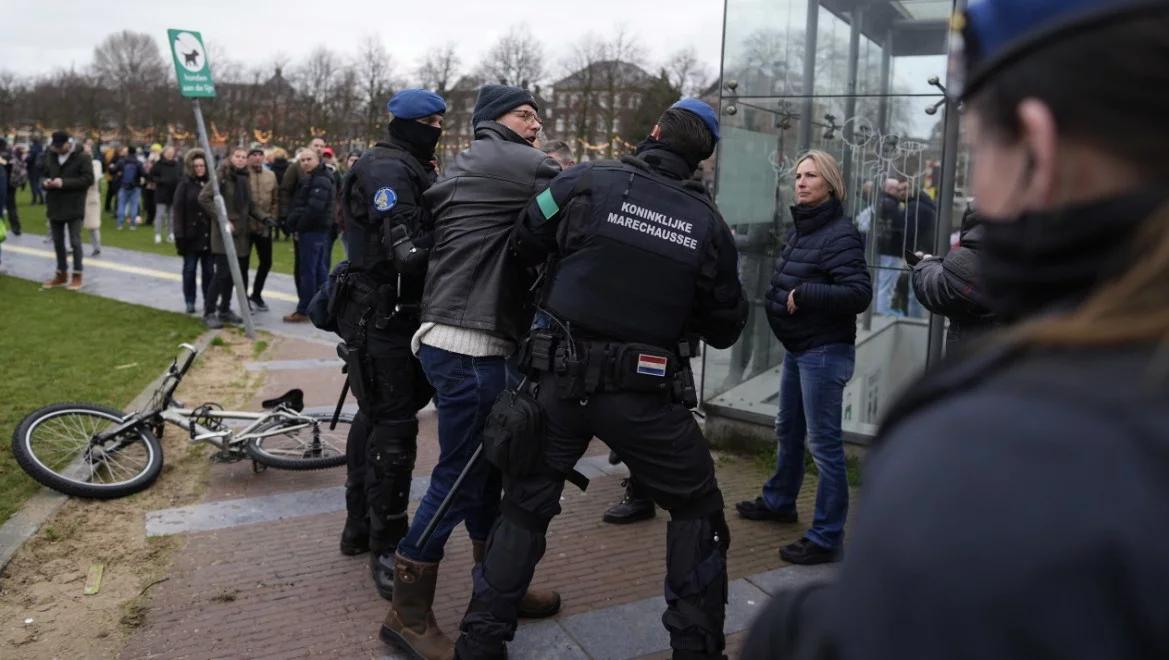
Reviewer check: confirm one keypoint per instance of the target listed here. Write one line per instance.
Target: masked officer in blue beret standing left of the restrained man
(378, 312)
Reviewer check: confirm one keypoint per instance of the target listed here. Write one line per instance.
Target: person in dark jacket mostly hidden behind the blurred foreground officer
(952, 286)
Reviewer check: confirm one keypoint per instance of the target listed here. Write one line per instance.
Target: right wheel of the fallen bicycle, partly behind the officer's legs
(303, 447)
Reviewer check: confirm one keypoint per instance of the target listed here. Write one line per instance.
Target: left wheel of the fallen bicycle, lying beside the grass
(54, 447)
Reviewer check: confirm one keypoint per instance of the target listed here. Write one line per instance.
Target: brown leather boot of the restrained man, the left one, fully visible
(411, 622)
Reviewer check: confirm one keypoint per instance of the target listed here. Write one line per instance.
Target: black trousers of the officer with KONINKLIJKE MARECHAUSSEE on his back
(665, 449)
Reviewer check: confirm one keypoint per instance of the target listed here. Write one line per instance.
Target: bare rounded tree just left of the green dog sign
(130, 62)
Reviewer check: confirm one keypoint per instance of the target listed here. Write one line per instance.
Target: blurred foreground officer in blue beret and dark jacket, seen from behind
(1016, 497)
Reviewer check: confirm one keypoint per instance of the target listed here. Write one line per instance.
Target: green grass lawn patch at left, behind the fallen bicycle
(67, 346)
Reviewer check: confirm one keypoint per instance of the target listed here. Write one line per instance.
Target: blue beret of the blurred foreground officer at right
(993, 34)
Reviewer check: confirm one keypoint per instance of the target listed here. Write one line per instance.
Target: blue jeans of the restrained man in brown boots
(466, 388)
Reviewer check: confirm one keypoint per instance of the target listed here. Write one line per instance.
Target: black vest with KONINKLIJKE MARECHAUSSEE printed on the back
(637, 247)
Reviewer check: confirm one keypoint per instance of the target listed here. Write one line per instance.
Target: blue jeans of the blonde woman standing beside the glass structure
(812, 392)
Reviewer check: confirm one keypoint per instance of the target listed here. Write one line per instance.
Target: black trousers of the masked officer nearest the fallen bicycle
(383, 442)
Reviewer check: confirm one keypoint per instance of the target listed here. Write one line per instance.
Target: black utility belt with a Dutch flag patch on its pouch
(583, 369)
